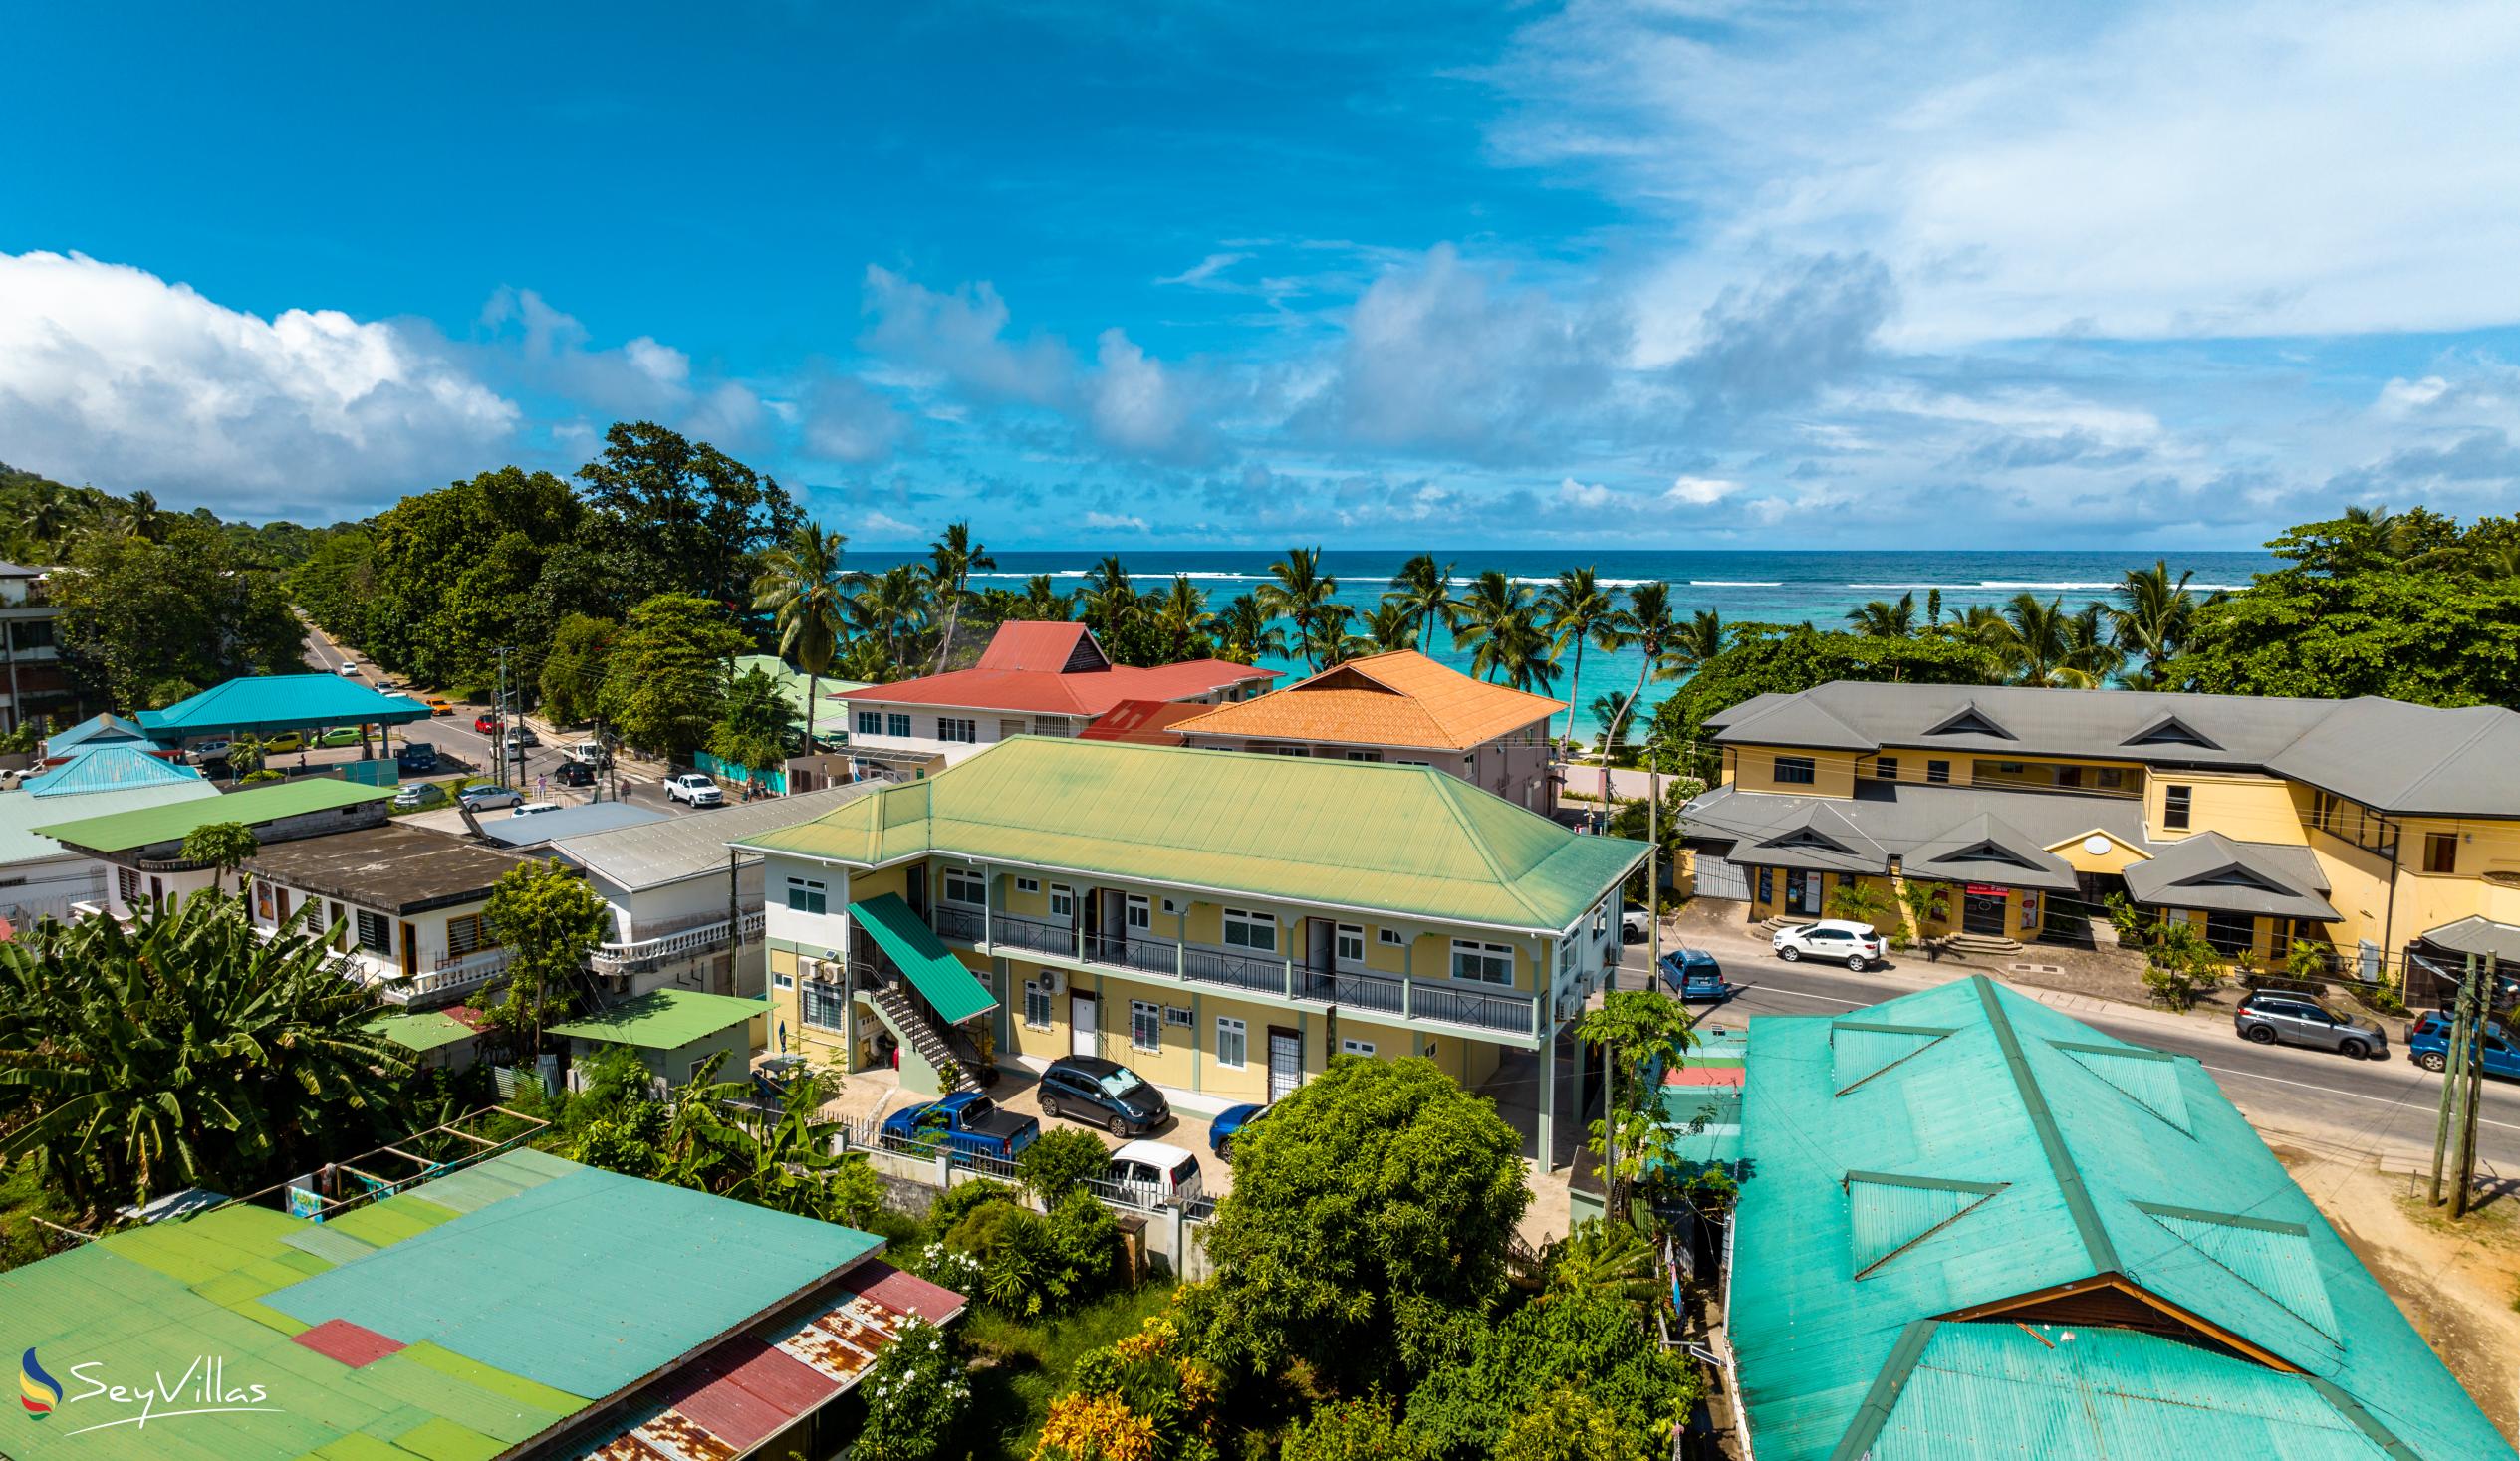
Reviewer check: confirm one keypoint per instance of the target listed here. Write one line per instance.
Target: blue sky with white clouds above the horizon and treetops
(1377, 276)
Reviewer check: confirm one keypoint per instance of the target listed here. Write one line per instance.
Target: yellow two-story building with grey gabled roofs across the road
(2378, 827)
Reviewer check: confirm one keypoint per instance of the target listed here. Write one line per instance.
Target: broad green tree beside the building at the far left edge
(147, 623)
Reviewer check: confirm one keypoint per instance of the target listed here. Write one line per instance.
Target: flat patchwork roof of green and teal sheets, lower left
(498, 1306)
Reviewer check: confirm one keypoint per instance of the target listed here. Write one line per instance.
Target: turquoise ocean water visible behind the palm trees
(1775, 588)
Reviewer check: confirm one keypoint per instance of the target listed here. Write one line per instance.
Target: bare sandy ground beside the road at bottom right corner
(2456, 1283)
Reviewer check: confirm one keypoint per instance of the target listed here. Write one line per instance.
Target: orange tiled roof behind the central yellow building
(1400, 699)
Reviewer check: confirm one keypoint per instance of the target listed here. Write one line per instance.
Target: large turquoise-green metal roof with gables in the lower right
(1964, 1147)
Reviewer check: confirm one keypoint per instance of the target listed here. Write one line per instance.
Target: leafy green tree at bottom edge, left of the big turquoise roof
(1569, 1341)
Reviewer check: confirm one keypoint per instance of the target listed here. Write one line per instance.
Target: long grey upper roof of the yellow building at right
(2390, 754)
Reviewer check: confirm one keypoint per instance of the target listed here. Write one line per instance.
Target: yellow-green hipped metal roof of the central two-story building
(1362, 835)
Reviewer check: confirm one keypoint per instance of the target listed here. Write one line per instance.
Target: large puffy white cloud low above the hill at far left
(117, 377)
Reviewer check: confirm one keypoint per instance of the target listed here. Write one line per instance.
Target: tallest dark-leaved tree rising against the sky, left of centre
(689, 508)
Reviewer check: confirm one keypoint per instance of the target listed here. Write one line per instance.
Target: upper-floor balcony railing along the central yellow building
(1244, 971)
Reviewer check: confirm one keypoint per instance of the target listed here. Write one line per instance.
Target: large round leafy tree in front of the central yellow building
(1367, 1213)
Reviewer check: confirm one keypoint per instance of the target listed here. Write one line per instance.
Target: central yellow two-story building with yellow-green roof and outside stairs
(1218, 921)
